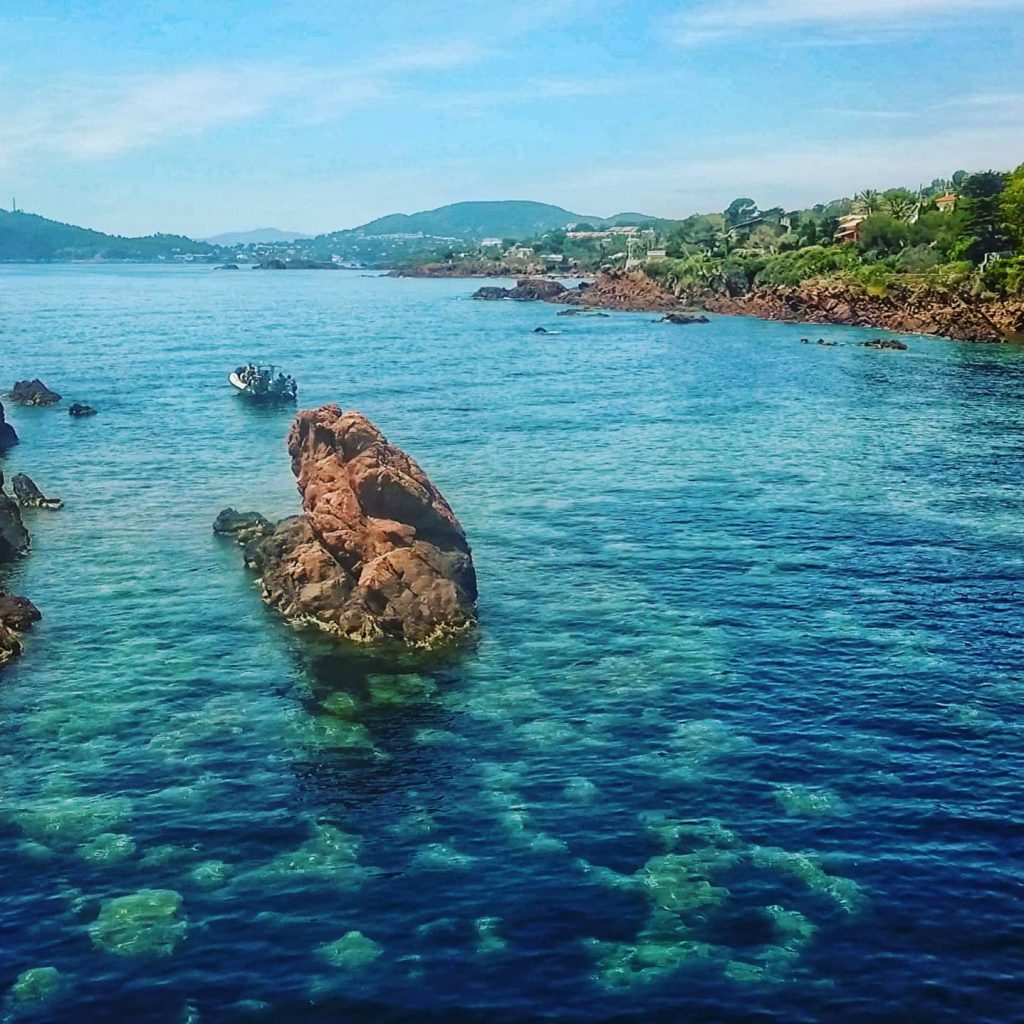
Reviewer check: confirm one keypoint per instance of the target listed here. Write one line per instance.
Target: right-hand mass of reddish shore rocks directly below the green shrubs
(949, 313)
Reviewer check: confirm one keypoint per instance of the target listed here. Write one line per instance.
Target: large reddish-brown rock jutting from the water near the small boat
(377, 552)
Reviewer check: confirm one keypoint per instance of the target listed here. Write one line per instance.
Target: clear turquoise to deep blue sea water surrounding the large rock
(740, 740)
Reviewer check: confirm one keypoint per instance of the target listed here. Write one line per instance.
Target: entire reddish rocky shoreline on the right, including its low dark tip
(944, 313)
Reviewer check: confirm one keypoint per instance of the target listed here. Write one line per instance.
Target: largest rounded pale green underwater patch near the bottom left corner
(145, 924)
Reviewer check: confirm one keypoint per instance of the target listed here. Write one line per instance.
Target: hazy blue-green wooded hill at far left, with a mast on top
(28, 237)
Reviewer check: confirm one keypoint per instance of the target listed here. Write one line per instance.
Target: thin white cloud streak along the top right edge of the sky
(720, 19)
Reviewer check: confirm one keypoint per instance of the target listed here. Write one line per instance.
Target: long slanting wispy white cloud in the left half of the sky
(101, 117)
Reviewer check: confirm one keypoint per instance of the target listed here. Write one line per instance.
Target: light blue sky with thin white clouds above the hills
(208, 116)
